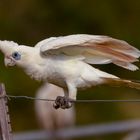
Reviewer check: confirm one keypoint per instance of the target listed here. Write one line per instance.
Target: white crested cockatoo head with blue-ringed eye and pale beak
(14, 54)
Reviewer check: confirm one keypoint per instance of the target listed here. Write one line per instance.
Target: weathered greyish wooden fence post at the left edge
(5, 127)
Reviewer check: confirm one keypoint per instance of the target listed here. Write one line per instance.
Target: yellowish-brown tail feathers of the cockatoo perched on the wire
(122, 83)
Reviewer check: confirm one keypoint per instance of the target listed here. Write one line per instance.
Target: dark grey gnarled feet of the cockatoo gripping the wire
(62, 102)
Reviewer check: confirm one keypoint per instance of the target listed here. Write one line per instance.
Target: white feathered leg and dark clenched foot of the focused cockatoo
(65, 101)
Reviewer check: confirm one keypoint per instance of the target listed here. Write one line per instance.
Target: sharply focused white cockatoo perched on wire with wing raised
(65, 61)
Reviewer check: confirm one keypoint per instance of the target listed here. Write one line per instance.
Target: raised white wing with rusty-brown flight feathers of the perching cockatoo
(94, 49)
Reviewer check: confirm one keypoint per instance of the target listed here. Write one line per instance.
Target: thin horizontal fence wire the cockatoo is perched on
(74, 101)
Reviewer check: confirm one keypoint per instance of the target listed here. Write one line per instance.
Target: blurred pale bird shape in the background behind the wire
(48, 117)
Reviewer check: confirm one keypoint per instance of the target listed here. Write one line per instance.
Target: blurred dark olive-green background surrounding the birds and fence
(29, 21)
